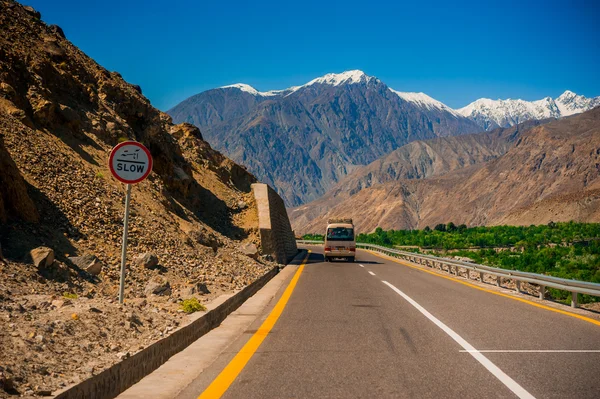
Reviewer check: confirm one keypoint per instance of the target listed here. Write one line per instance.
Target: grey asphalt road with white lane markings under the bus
(379, 328)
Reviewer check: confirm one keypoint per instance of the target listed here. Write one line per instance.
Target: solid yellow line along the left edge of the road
(218, 387)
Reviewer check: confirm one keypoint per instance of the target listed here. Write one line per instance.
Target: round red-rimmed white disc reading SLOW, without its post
(130, 162)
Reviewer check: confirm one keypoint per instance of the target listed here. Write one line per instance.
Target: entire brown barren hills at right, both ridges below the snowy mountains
(534, 174)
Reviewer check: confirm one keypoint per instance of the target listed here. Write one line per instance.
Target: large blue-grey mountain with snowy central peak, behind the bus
(304, 139)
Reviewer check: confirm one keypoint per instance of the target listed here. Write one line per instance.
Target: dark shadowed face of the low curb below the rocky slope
(120, 376)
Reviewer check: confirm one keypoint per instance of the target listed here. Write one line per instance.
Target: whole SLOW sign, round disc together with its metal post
(130, 162)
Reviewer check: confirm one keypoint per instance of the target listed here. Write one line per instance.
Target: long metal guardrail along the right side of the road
(454, 266)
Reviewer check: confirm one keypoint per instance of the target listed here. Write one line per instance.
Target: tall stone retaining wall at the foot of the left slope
(276, 235)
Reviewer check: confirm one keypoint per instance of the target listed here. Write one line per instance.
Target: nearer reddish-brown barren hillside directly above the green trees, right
(551, 173)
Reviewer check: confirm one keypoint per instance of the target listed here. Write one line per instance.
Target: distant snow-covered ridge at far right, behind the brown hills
(490, 114)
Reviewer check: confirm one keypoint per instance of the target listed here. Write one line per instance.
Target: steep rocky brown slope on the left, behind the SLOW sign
(61, 214)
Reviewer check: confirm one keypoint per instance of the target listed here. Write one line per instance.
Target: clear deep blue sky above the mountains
(454, 51)
